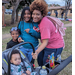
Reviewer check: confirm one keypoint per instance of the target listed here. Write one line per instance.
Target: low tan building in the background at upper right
(59, 9)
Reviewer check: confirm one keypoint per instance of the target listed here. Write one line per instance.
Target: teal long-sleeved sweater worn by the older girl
(32, 36)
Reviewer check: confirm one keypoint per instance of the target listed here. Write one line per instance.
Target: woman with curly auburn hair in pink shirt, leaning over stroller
(51, 41)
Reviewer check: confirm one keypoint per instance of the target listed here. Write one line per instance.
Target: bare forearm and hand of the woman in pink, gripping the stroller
(41, 47)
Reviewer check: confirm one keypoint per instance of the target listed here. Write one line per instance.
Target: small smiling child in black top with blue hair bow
(15, 34)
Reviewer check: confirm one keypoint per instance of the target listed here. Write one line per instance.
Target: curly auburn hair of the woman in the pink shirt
(40, 5)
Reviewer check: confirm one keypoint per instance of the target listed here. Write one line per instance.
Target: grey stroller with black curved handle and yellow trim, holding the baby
(6, 62)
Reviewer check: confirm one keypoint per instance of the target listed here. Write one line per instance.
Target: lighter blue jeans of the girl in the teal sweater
(27, 52)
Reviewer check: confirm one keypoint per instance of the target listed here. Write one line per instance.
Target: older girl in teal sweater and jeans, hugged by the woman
(29, 33)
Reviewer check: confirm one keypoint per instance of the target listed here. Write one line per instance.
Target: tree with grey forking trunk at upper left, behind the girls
(17, 4)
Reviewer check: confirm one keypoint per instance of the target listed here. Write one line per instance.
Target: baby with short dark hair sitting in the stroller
(16, 64)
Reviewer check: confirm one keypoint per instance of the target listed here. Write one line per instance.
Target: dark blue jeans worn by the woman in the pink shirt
(43, 55)
